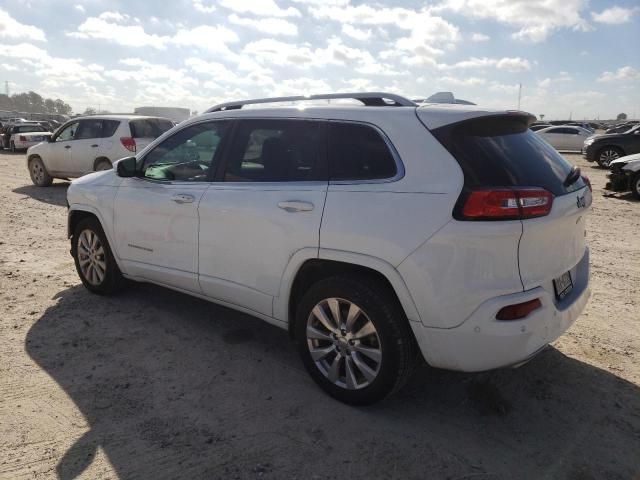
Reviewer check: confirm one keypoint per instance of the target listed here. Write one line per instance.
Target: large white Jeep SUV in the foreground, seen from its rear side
(372, 233)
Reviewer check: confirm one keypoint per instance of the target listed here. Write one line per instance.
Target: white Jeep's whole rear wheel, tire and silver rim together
(354, 339)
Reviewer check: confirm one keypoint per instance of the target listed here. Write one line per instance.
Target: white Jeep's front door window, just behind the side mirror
(186, 156)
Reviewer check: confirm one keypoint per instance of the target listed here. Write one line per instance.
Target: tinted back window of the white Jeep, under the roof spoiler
(502, 152)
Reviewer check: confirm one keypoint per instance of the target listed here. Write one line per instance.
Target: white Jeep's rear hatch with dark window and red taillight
(498, 153)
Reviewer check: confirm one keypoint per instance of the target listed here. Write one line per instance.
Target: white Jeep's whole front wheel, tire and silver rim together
(94, 260)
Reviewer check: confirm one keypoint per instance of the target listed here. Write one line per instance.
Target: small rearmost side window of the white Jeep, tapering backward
(358, 152)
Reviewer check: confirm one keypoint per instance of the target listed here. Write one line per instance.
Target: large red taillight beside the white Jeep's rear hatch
(507, 204)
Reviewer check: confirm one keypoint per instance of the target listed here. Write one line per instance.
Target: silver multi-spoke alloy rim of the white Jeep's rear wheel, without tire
(344, 343)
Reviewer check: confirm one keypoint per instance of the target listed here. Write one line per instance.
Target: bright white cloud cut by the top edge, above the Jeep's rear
(536, 20)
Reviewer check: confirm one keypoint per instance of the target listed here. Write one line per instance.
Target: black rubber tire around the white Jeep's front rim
(112, 279)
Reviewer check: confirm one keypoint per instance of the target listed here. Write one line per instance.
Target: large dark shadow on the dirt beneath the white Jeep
(176, 387)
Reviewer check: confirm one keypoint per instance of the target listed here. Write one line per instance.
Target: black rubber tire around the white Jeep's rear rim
(396, 342)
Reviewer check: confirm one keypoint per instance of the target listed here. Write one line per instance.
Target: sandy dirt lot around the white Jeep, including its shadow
(153, 384)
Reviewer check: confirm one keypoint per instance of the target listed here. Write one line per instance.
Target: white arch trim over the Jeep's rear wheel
(304, 270)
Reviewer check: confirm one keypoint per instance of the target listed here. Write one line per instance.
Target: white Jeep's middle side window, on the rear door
(277, 151)
